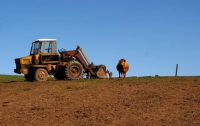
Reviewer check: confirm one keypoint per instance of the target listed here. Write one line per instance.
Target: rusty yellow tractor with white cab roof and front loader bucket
(44, 60)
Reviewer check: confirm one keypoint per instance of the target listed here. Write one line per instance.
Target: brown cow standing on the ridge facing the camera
(122, 67)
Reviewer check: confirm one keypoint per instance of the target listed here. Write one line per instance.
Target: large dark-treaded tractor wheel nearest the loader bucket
(74, 70)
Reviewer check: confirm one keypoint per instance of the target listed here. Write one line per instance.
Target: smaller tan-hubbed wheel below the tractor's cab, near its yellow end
(41, 74)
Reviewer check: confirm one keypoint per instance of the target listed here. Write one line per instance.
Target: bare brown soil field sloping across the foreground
(155, 101)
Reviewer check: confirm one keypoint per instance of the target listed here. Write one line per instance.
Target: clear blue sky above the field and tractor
(152, 35)
